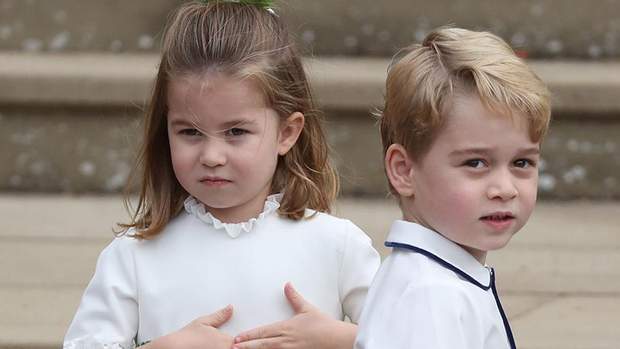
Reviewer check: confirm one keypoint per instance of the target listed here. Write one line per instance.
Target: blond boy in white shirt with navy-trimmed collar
(461, 129)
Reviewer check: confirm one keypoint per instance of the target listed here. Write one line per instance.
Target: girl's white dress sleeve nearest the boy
(360, 262)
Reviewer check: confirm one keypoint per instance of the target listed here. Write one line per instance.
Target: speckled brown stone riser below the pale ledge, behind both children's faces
(60, 149)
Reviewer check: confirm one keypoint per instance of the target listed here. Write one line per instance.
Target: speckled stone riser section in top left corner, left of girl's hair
(66, 25)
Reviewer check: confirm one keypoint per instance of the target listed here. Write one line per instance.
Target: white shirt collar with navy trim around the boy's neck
(434, 245)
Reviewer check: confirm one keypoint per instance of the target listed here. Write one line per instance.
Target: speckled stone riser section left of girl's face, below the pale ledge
(67, 148)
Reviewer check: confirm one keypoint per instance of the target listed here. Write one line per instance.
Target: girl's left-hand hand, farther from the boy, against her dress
(201, 333)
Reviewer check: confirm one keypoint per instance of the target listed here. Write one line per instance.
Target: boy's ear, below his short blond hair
(399, 170)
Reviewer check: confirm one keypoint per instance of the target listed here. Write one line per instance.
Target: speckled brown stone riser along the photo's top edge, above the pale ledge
(538, 28)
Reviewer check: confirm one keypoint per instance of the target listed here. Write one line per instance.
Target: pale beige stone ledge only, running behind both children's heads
(341, 83)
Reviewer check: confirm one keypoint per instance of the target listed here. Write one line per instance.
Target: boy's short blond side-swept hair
(423, 79)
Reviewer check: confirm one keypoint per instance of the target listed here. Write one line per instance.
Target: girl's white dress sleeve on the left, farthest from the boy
(107, 316)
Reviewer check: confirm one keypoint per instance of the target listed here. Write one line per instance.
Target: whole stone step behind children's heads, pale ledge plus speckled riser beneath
(69, 122)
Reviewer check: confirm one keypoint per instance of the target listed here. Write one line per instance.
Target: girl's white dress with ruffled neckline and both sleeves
(144, 289)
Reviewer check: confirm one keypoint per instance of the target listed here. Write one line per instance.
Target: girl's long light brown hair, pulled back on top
(243, 41)
